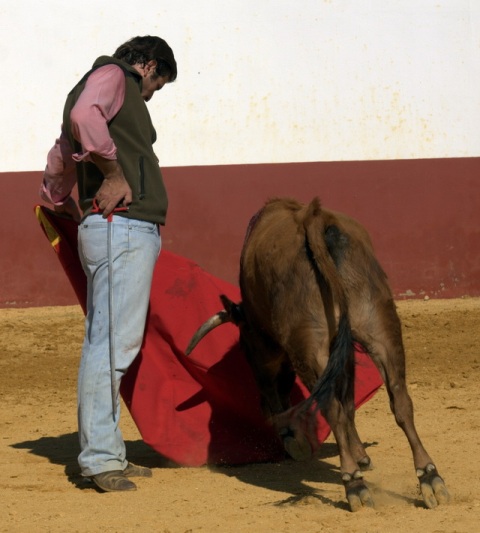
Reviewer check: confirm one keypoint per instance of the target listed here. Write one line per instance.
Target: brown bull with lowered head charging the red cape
(311, 286)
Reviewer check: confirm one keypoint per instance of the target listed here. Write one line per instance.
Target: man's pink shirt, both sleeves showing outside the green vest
(99, 102)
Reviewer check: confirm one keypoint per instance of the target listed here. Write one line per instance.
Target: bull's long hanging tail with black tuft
(338, 377)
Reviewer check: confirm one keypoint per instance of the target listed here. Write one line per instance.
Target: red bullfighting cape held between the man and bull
(205, 408)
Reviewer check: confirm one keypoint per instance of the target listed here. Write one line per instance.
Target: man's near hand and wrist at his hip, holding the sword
(114, 190)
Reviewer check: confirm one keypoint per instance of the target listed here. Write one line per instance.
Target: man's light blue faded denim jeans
(135, 246)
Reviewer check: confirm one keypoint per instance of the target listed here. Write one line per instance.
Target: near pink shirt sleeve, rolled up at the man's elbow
(100, 100)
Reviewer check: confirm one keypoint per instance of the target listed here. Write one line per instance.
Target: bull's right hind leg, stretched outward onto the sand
(388, 354)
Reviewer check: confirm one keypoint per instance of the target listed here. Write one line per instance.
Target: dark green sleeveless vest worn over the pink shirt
(133, 133)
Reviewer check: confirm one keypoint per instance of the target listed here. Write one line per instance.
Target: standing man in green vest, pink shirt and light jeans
(106, 148)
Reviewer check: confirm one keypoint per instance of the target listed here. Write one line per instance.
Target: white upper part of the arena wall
(259, 80)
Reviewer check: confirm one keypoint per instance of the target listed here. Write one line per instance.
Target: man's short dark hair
(141, 50)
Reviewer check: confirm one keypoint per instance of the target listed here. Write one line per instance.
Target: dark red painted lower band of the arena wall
(423, 216)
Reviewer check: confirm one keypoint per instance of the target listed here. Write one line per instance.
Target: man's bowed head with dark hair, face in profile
(153, 59)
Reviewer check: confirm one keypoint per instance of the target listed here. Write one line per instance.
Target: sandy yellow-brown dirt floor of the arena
(40, 489)
